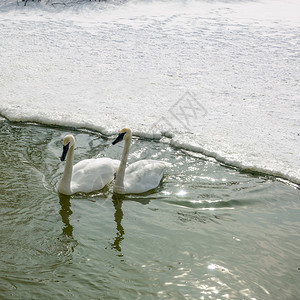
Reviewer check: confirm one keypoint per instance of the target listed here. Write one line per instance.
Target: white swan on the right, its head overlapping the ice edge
(139, 177)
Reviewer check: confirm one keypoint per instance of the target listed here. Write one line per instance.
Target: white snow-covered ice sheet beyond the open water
(217, 77)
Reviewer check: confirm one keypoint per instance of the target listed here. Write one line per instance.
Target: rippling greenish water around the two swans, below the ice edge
(208, 231)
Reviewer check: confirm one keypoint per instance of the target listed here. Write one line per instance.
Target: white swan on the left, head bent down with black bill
(87, 175)
